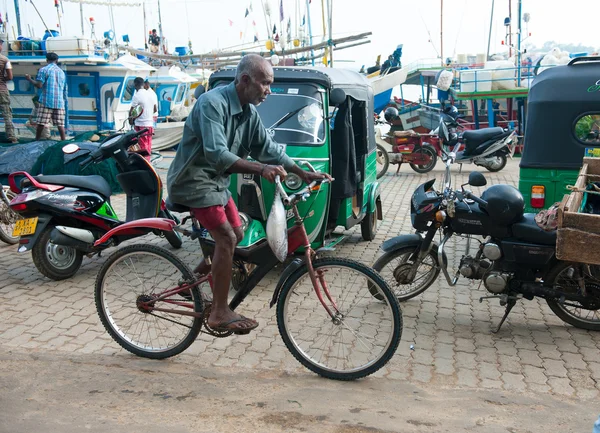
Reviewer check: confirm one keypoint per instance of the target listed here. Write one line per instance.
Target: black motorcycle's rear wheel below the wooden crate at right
(564, 277)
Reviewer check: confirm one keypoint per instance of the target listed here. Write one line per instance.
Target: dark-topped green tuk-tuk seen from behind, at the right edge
(563, 126)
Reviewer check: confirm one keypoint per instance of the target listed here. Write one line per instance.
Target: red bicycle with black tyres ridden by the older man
(150, 302)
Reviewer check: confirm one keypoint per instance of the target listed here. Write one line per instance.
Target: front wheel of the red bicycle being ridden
(363, 333)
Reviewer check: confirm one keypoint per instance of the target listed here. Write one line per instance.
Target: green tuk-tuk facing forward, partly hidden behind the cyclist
(323, 118)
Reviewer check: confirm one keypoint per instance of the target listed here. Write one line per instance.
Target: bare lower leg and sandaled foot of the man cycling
(226, 238)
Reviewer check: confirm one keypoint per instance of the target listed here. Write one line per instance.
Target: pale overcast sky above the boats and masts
(217, 24)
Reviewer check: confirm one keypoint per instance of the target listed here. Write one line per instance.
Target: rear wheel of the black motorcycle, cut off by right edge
(579, 317)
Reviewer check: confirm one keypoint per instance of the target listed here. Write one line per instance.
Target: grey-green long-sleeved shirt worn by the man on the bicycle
(217, 133)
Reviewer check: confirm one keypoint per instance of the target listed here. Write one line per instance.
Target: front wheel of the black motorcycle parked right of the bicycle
(395, 266)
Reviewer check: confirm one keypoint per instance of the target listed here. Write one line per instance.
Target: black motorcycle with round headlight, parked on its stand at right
(514, 258)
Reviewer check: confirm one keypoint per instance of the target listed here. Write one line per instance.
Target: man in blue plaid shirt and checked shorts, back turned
(53, 82)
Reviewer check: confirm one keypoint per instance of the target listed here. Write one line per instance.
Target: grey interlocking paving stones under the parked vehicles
(448, 327)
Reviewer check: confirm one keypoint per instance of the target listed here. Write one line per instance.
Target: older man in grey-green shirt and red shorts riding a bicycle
(222, 130)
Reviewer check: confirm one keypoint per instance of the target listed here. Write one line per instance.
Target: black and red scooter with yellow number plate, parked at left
(63, 215)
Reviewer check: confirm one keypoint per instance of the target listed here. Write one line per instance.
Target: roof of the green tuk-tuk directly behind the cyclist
(353, 83)
